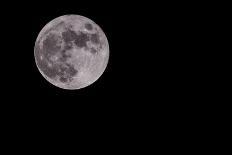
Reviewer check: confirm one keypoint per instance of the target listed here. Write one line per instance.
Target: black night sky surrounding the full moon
(154, 92)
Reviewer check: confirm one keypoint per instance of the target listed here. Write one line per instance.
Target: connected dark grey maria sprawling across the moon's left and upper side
(51, 46)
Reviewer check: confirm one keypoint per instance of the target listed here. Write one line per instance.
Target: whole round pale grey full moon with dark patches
(71, 52)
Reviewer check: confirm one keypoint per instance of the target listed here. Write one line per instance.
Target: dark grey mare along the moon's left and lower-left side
(64, 70)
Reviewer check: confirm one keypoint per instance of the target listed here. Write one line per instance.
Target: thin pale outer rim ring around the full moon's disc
(65, 18)
